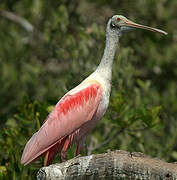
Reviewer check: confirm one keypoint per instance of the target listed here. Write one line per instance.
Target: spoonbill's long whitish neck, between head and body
(105, 66)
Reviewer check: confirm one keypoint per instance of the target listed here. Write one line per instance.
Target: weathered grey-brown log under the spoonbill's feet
(111, 165)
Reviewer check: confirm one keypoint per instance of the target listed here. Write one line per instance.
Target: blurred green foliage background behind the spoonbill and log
(49, 47)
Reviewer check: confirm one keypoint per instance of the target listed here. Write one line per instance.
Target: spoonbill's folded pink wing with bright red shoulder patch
(71, 112)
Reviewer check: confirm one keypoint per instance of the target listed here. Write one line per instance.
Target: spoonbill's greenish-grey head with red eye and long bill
(119, 24)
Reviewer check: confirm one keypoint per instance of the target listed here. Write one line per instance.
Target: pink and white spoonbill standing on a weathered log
(78, 111)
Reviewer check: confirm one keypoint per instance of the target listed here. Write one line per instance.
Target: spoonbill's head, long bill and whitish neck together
(116, 26)
